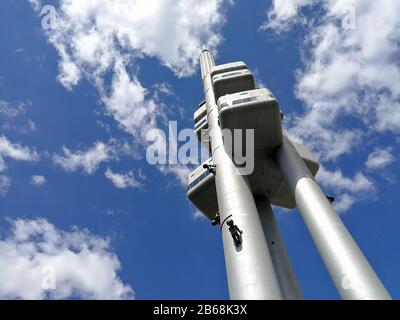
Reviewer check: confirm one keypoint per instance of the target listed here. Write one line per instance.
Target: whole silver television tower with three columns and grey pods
(257, 263)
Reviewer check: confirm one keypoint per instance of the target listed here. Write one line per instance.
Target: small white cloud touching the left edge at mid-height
(15, 152)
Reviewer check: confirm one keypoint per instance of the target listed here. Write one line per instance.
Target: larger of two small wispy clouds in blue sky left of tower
(88, 160)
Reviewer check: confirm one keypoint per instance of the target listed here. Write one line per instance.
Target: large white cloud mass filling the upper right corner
(348, 74)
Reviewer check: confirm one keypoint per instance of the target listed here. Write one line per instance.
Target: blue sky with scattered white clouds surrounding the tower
(63, 119)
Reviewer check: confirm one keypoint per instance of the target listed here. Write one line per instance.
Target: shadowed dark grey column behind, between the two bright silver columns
(287, 279)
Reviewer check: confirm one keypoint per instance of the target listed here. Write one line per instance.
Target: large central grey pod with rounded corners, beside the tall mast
(255, 109)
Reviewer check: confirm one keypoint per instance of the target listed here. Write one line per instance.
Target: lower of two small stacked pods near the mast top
(233, 82)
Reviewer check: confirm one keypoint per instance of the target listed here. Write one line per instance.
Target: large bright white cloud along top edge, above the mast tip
(101, 32)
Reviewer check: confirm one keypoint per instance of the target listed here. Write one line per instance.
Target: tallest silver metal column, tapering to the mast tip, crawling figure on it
(250, 271)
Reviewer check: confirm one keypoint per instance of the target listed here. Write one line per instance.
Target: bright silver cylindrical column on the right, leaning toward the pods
(349, 269)
